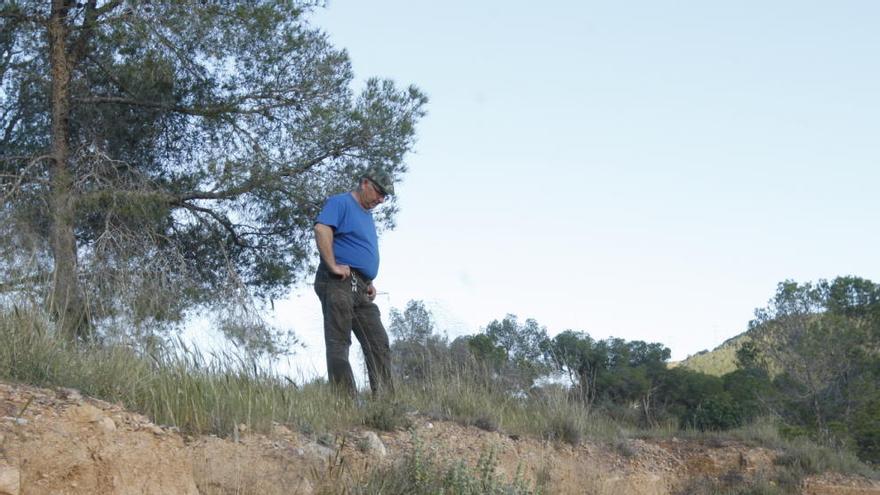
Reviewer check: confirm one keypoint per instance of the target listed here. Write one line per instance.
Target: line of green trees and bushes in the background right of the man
(811, 361)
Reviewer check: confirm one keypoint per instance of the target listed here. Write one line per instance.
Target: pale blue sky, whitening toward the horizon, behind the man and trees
(643, 170)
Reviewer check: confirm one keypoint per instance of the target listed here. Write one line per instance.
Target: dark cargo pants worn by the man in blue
(347, 308)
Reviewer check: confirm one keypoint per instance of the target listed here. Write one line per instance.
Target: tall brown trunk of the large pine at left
(66, 302)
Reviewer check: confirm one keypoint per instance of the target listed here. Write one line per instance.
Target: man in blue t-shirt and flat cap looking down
(348, 245)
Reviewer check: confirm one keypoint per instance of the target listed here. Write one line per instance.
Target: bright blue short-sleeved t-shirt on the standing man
(355, 242)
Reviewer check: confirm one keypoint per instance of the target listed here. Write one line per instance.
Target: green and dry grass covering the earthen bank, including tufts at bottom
(200, 395)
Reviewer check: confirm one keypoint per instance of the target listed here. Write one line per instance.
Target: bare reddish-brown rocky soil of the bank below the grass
(59, 442)
